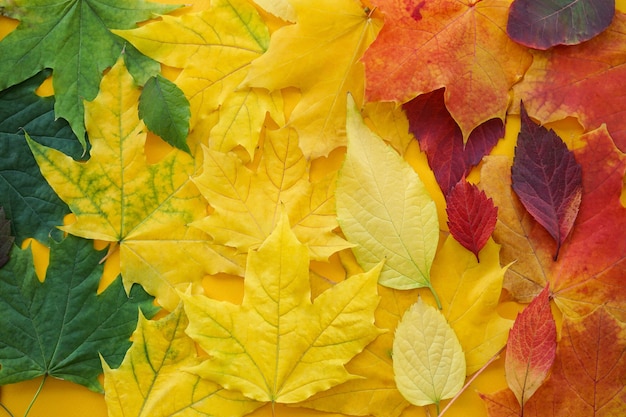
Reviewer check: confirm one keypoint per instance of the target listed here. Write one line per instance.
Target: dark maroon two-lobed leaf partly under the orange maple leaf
(440, 137)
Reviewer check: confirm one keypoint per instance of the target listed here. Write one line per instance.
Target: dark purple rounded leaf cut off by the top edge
(546, 23)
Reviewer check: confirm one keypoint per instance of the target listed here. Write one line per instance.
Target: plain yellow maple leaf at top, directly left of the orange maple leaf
(327, 31)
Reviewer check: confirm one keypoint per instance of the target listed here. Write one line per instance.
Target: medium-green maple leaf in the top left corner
(73, 38)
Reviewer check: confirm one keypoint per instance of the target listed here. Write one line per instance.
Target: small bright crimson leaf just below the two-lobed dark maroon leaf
(471, 216)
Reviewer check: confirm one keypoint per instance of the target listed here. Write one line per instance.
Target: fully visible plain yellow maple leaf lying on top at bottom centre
(278, 345)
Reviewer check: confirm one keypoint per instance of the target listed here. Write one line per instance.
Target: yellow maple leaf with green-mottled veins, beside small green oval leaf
(118, 197)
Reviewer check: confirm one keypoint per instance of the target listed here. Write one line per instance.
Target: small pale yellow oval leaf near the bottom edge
(428, 361)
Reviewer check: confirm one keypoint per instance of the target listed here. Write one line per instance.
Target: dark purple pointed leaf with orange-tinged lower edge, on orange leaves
(547, 179)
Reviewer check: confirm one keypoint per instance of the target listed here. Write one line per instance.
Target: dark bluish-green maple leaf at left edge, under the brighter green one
(33, 207)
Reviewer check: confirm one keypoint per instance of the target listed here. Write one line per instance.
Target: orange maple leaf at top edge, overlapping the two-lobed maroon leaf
(459, 45)
